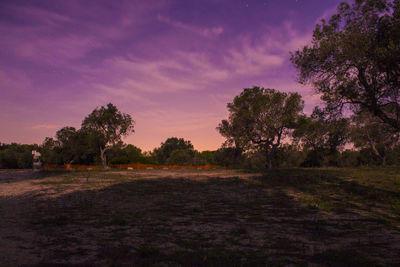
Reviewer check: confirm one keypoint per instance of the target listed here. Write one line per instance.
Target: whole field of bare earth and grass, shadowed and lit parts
(335, 217)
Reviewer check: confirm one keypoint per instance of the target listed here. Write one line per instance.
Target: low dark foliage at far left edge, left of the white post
(16, 156)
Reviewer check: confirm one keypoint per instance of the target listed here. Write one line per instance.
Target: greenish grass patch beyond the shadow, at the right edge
(372, 191)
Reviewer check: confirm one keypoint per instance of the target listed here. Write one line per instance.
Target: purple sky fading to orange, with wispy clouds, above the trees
(172, 65)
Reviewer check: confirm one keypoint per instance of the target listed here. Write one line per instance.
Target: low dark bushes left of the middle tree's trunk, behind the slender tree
(79, 150)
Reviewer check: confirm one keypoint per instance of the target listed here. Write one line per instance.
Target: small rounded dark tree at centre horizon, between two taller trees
(166, 150)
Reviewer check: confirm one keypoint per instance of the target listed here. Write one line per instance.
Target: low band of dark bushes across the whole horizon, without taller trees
(177, 151)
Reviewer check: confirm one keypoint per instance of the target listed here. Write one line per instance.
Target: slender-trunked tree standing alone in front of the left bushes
(109, 125)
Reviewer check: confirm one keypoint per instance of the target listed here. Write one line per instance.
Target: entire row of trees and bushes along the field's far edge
(276, 133)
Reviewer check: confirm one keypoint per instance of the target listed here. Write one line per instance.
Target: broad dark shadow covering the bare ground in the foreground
(210, 222)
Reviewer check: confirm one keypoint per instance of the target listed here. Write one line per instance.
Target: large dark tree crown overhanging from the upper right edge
(354, 60)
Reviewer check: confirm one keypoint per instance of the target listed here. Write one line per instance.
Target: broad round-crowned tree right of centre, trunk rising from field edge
(259, 119)
